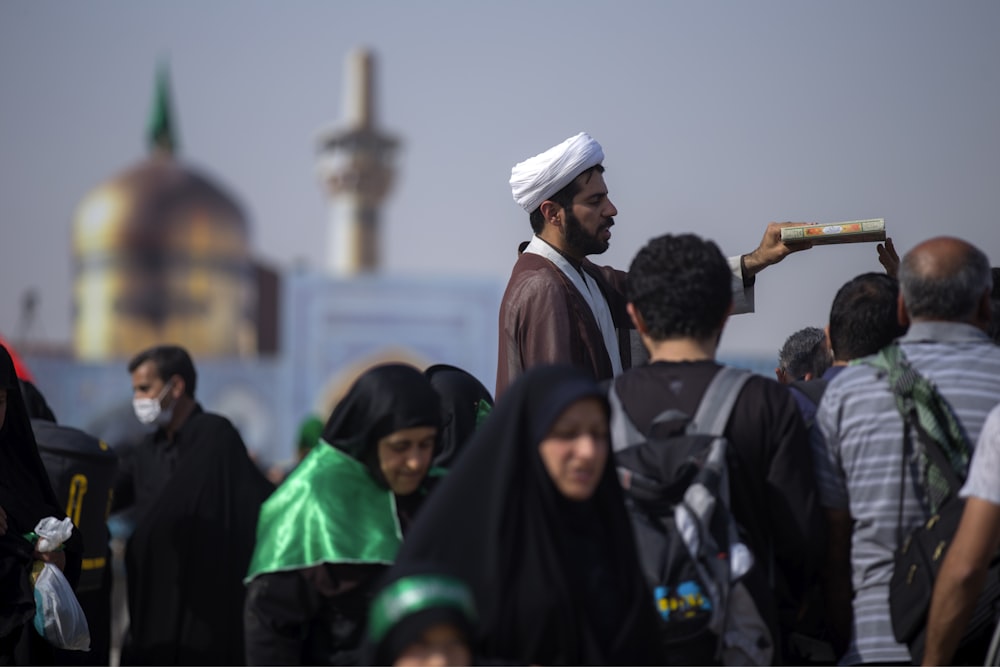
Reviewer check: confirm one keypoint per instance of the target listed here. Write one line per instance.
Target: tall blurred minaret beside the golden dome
(355, 163)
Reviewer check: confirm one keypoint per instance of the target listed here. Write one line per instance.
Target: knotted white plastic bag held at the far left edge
(58, 615)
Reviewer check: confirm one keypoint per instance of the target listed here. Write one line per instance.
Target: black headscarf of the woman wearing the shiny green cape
(385, 399)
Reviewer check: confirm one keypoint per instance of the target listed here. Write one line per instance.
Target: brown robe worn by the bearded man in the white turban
(545, 319)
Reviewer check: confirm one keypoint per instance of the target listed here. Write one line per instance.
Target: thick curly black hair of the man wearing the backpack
(682, 287)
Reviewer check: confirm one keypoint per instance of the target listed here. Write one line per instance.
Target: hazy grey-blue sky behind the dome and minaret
(715, 117)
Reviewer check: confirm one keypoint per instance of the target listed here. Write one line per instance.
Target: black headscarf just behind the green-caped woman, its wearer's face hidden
(462, 401)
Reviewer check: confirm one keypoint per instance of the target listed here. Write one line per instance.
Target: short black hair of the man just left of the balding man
(863, 317)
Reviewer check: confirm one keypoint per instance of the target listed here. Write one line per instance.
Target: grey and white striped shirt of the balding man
(863, 466)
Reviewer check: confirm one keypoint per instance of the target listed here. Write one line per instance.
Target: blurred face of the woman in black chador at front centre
(576, 449)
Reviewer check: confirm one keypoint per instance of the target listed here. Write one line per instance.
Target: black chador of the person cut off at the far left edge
(26, 496)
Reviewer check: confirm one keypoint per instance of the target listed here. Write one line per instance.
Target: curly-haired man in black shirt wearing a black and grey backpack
(679, 300)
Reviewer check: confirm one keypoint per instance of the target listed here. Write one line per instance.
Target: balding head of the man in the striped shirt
(944, 279)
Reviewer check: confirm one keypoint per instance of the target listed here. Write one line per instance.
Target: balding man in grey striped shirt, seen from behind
(944, 297)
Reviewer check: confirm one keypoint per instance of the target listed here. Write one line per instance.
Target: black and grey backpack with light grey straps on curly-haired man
(677, 492)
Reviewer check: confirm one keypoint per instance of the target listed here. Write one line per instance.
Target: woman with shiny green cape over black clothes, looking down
(336, 523)
